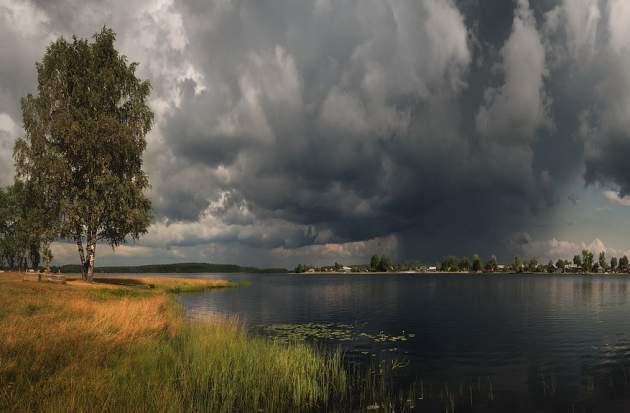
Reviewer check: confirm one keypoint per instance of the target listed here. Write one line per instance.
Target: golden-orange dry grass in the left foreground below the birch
(52, 334)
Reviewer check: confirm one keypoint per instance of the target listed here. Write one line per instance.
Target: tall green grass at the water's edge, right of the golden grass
(219, 369)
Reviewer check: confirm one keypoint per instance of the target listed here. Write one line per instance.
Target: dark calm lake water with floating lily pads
(479, 343)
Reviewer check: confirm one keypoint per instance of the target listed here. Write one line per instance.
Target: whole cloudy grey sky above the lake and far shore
(311, 131)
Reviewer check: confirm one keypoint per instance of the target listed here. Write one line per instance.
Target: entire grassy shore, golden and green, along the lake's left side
(123, 345)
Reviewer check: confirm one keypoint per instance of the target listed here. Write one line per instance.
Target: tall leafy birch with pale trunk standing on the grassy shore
(85, 135)
